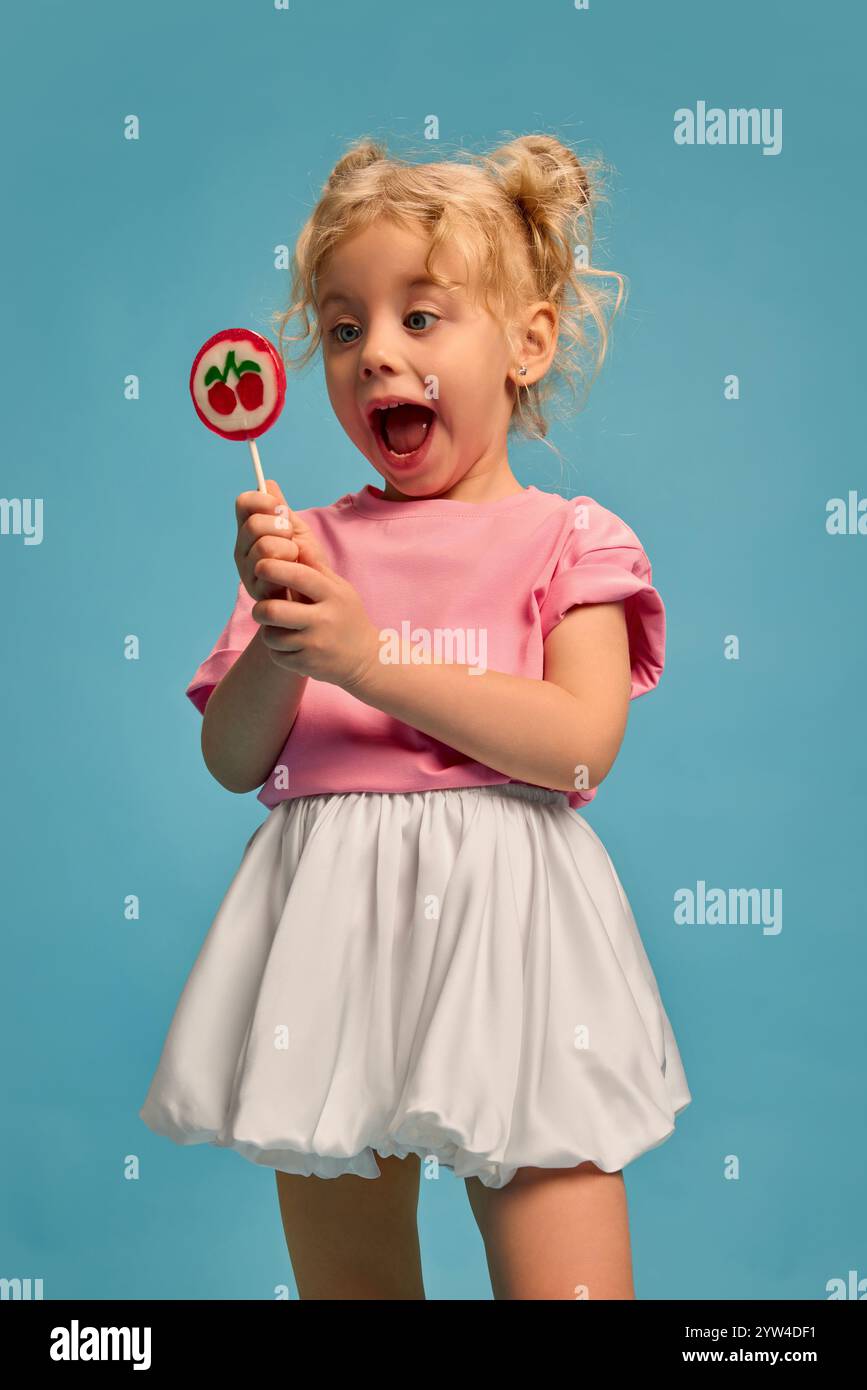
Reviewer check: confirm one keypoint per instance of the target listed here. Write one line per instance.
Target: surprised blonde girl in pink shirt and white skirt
(426, 956)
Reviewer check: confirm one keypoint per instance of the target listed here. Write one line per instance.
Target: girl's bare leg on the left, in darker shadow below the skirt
(355, 1238)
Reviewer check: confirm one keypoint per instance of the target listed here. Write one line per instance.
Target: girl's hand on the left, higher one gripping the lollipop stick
(269, 529)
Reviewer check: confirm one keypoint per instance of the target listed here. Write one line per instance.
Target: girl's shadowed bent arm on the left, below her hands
(249, 717)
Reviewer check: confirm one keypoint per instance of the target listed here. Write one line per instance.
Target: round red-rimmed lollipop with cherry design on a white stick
(238, 384)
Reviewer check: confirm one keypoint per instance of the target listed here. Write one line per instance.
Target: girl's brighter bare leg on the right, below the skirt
(556, 1234)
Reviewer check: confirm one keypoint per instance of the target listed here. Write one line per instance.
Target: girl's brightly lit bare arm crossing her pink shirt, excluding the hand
(540, 732)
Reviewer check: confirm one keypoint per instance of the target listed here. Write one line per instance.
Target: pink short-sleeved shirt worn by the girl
(481, 584)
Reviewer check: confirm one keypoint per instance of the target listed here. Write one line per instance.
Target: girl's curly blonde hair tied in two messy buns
(519, 215)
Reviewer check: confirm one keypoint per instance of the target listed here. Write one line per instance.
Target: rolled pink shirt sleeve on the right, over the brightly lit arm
(604, 561)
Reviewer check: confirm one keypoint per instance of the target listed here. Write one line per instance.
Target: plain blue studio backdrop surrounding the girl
(123, 258)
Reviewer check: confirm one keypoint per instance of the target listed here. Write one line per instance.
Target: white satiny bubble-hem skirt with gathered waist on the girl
(454, 974)
